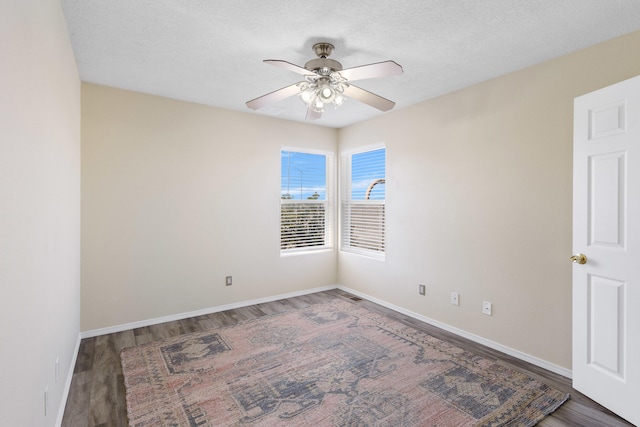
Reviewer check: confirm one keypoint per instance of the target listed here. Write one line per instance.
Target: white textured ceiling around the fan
(211, 51)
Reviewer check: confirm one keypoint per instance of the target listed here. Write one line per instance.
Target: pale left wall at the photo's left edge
(39, 210)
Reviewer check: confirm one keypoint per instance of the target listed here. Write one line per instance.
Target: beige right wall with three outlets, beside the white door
(479, 201)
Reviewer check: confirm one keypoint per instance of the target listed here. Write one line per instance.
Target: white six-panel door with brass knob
(606, 229)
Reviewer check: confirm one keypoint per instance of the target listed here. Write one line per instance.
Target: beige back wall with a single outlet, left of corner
(176, 196)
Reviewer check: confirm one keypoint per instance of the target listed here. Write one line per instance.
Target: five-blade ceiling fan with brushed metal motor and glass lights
(325, 82)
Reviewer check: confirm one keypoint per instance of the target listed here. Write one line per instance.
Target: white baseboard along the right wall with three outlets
(475, 338)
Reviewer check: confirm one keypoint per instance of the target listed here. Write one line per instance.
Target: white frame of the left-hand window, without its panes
(328, 203)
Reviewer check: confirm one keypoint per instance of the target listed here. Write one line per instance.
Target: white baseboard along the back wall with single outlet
(180, 316)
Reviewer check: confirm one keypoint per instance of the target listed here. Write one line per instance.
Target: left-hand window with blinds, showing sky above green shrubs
(306, 220)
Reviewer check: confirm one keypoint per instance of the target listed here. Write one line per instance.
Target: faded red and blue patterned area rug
(332, 364)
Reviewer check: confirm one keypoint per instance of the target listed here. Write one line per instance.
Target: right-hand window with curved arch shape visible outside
(363, 202)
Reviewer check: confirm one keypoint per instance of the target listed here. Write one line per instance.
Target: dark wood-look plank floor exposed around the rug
(97, 395)
